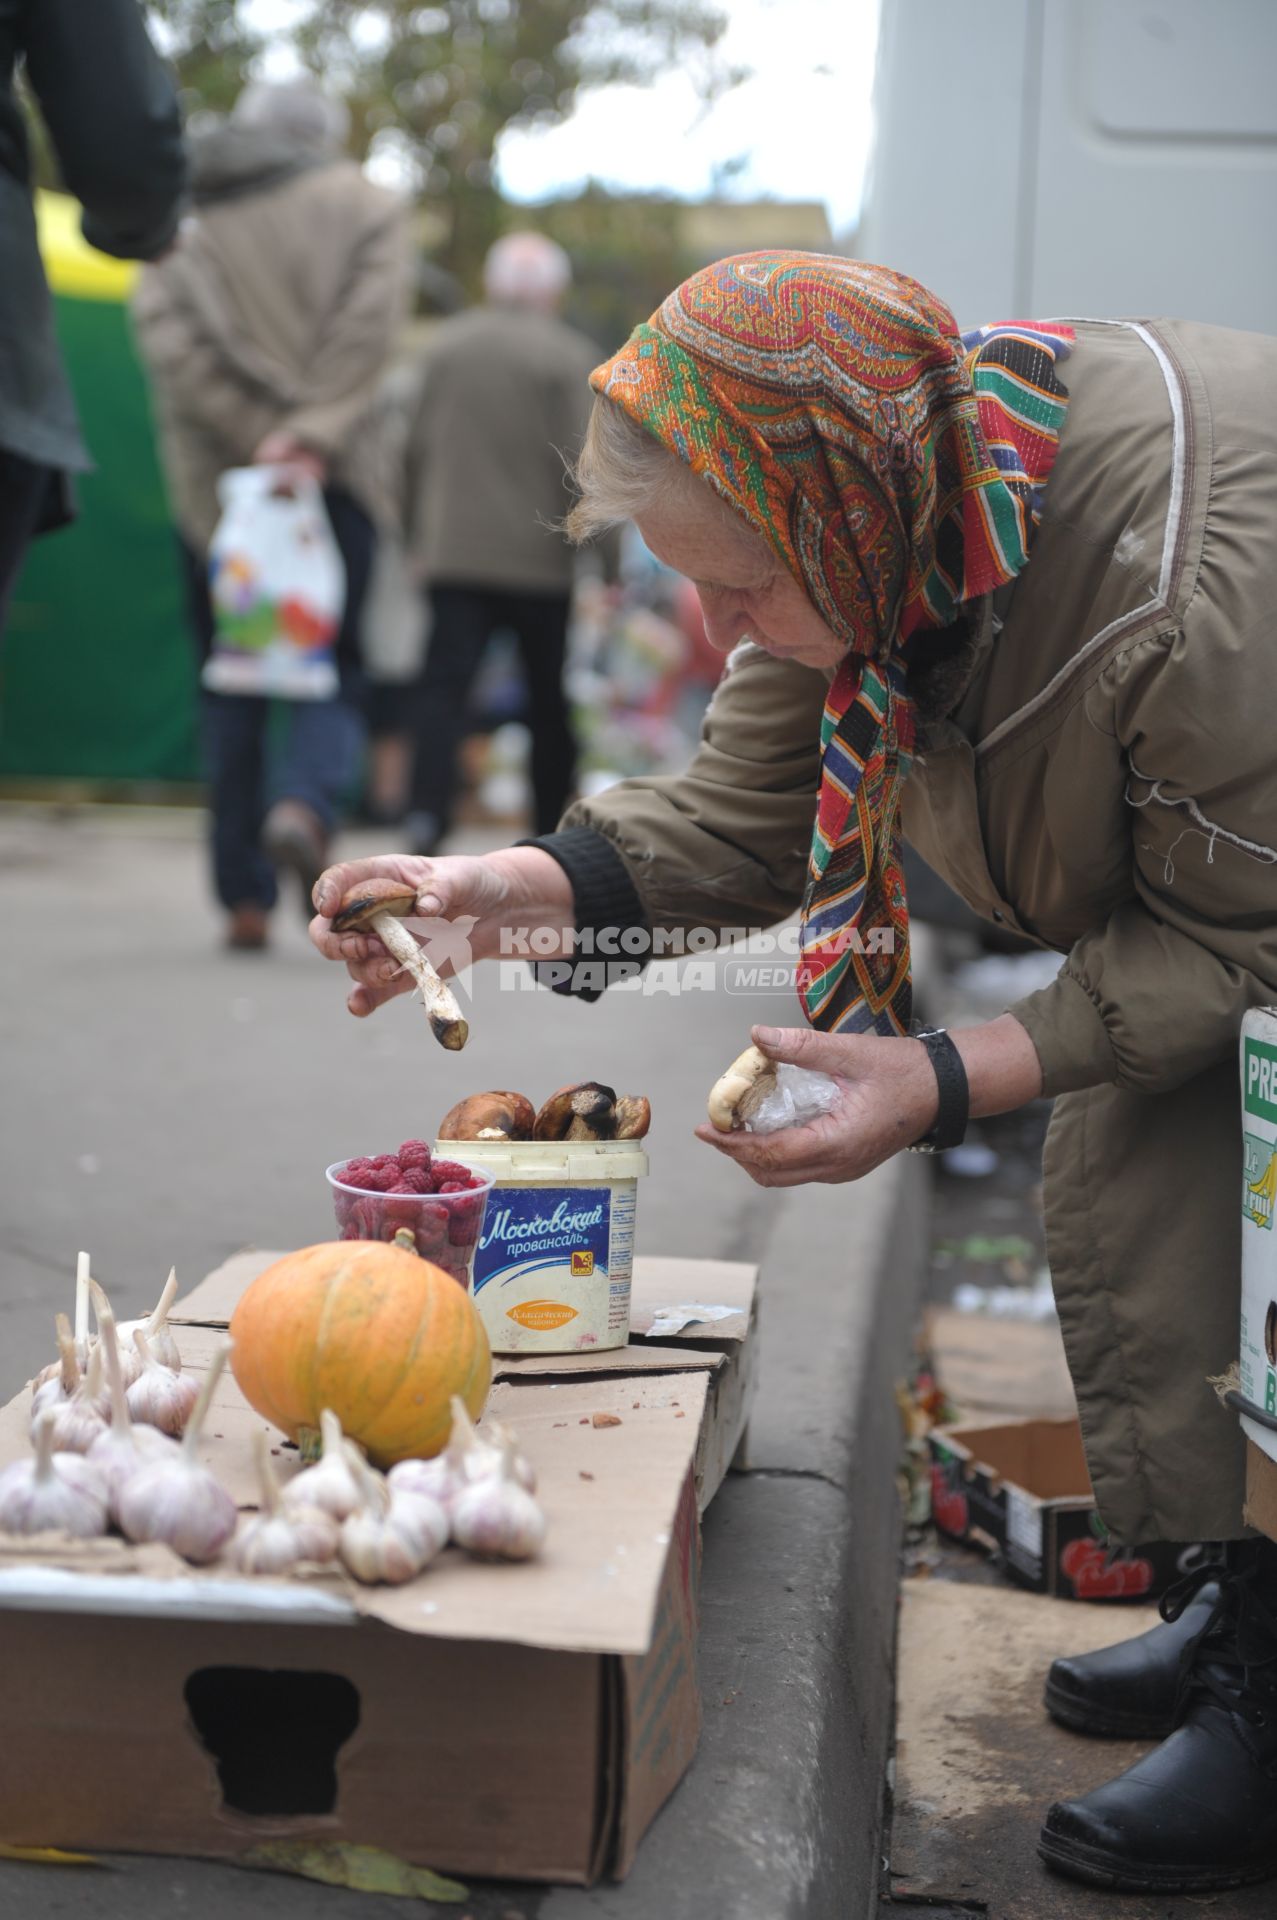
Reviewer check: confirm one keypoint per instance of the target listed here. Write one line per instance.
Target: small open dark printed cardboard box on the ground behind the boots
(1023, 1491)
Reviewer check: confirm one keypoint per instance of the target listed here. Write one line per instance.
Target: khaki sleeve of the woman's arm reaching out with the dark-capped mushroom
(727, 842)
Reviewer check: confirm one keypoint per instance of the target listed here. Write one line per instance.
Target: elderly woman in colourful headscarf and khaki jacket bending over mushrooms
(1009, 596)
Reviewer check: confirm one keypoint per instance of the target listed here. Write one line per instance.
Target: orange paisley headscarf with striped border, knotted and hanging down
(896, 468)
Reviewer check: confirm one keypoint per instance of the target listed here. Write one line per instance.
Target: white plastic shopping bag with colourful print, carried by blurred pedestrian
(277, 587)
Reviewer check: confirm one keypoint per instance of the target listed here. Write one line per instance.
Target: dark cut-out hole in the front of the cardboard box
(276, 1737)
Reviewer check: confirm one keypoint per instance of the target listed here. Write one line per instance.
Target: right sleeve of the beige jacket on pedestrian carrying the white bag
(341, 379)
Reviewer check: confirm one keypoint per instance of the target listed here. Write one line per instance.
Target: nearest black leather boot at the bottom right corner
(1199, 1813)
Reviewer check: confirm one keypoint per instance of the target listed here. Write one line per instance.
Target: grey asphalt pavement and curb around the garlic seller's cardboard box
(170, 1103)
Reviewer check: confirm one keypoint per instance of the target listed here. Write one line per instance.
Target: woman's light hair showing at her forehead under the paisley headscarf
(625, 473)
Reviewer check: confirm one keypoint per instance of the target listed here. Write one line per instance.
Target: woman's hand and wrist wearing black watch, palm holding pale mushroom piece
(888, 1099)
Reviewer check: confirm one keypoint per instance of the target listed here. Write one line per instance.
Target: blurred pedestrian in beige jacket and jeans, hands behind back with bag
(266, 333)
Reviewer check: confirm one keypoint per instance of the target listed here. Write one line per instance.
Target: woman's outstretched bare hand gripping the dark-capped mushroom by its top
(471, 900)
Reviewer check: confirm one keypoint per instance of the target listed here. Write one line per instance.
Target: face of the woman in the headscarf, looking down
(744, 590)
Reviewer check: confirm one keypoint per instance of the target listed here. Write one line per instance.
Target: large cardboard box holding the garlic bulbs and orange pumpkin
(518, 1721)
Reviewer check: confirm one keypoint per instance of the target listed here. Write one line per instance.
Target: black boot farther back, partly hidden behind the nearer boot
(1132, 1691)
